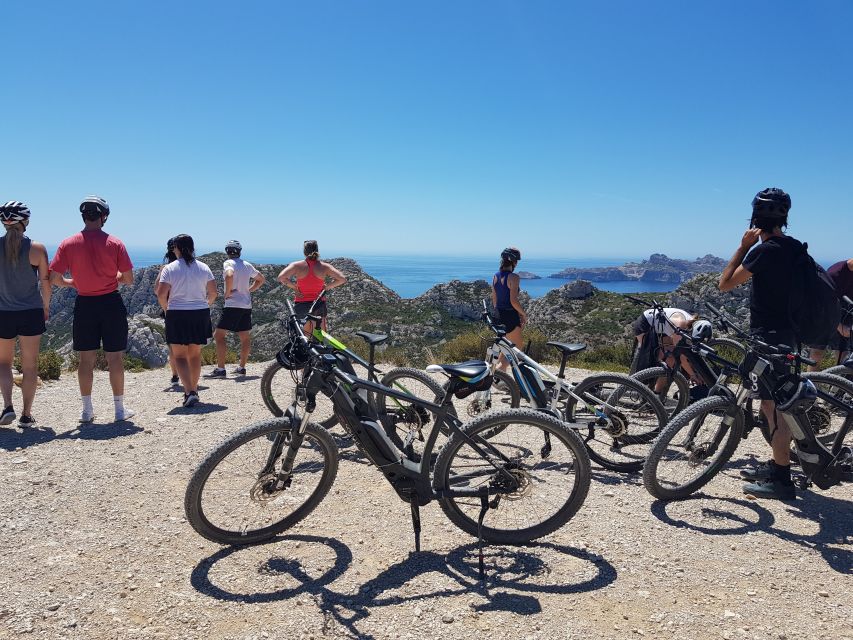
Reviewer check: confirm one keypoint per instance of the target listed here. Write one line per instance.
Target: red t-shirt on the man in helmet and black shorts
(94, 259)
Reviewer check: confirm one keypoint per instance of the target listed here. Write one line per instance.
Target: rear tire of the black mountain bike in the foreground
(463, 512)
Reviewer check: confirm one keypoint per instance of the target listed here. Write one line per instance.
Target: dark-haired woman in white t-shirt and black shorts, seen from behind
(186, 290)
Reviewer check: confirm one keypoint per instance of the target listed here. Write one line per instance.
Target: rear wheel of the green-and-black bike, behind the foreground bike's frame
(401, 418)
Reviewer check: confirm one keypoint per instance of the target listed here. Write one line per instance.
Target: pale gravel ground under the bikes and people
(95, 545)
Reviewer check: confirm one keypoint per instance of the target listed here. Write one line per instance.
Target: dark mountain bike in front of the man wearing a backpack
(698, 442)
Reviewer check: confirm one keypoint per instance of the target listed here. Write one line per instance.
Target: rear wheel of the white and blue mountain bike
(618, 419)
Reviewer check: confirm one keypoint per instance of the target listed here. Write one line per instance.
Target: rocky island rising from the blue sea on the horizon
(658, 268)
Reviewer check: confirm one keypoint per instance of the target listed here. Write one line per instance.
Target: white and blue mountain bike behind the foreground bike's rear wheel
(617, 417)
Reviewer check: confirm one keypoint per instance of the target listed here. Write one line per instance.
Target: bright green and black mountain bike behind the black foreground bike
(279, 383)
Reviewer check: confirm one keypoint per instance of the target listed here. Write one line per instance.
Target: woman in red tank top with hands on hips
(309, 278)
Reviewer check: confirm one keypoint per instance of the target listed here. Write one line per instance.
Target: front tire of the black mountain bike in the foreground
(199, 516)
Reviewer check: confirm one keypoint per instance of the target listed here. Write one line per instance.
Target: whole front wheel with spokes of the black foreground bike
(231, 499)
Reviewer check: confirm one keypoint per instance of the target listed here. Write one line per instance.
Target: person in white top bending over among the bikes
(656, 339)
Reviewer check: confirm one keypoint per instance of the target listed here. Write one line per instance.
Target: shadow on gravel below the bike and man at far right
(740, 516)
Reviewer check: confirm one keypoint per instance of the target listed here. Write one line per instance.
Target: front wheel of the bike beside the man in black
(693, 448)
